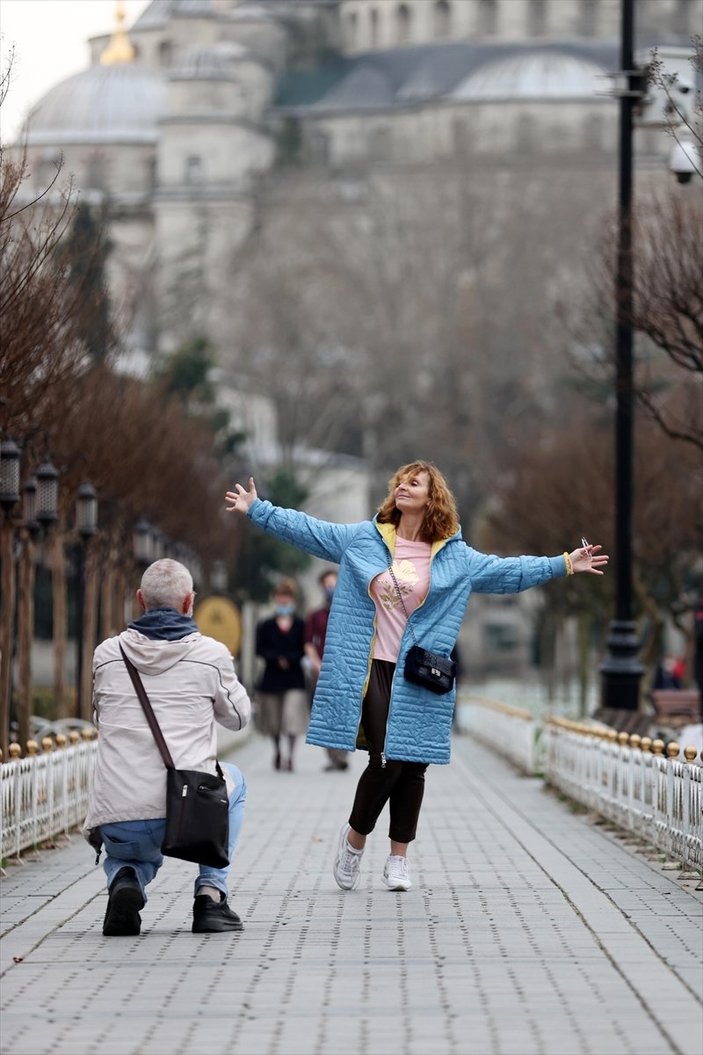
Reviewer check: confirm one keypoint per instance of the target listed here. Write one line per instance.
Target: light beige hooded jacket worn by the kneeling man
(192, 685)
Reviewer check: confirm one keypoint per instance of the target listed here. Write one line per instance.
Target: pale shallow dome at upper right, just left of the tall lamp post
(534, 75)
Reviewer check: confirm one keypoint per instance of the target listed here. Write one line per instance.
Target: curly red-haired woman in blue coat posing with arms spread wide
(406, 576)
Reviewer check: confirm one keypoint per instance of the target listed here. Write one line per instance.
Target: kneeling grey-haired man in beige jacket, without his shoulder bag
(192, 685)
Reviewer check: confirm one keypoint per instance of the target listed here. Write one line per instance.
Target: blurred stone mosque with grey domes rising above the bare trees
(178, 122)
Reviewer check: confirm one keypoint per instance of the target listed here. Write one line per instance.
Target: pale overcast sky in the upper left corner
(50, 41)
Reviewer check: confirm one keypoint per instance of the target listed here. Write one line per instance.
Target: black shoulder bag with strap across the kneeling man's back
(197, 803)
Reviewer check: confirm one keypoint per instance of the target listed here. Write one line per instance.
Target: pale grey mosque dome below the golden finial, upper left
(105, 104)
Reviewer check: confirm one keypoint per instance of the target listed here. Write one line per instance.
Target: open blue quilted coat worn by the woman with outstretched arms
(420, 727)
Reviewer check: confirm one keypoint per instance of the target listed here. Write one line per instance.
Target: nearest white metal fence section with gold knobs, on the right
(632, 782)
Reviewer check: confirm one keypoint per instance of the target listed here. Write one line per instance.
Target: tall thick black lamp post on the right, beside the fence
(622, 670)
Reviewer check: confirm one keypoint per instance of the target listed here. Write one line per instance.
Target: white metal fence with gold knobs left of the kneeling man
(45, 795)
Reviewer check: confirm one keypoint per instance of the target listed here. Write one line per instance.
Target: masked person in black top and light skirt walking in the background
(282, 713)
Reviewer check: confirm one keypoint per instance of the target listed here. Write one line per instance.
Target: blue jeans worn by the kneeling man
(138, 843)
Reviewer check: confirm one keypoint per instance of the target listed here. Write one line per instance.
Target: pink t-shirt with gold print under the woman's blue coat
(411, 566)
